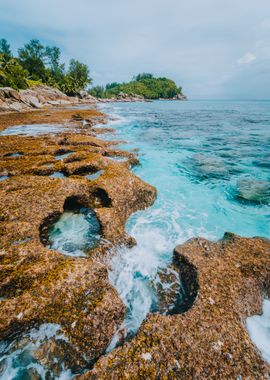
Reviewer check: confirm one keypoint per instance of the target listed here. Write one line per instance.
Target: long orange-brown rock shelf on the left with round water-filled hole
(39, 285)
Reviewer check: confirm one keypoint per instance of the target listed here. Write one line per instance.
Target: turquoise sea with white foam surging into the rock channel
(210, 162)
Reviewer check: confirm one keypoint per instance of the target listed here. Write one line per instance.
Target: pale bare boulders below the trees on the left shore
(38, 96)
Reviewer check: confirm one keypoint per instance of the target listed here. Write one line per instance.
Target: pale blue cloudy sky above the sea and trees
(214, 49)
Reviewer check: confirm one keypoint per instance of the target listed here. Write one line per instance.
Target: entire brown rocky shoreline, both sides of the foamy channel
(203, 336)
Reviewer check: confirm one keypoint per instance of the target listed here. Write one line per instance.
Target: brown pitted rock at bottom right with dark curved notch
(209, 340)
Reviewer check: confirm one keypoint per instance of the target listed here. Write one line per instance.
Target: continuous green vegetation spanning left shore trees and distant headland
(36, 63)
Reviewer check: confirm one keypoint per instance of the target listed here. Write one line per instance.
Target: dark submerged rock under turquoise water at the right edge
(253, 191)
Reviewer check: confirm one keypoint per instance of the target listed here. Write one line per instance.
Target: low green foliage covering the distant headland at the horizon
(144, 84)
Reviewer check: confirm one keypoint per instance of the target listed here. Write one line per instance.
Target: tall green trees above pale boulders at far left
(36, 64)
